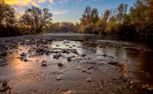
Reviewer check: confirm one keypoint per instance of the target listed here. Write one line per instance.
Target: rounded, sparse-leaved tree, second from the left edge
(36, 19)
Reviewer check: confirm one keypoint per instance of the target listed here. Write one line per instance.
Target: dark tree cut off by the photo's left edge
(7, 20)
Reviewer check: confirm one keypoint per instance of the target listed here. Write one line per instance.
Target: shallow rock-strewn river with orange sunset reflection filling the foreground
(74, 64)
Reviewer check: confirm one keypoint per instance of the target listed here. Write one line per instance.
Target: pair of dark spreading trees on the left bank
(34, 20)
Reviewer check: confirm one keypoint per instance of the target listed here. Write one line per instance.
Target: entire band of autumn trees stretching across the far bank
(123, 22)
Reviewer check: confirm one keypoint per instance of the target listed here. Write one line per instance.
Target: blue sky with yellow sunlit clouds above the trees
(67, 10)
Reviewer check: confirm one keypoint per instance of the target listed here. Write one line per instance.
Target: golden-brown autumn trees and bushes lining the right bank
(134, 23)
